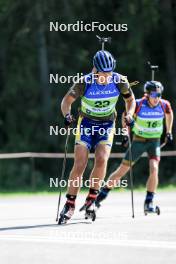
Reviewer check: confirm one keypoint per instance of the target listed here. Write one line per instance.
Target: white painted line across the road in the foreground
(108, 242)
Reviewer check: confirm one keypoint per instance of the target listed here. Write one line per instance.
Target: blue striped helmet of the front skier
(104, 61)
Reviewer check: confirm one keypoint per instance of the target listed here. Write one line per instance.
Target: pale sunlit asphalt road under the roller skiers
(29, 234)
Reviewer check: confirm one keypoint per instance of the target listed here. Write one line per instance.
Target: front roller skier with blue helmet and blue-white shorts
(99, 92)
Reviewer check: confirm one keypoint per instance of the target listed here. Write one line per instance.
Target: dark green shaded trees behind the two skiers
(29, 52)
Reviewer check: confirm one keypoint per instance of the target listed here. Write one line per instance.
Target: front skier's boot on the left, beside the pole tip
(66, 213)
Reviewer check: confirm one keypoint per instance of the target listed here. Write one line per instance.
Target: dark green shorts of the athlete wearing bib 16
(138, 148)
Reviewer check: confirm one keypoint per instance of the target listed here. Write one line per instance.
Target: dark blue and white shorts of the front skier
(90, 133)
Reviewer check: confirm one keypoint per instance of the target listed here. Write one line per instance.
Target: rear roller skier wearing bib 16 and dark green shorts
(149, 115)
